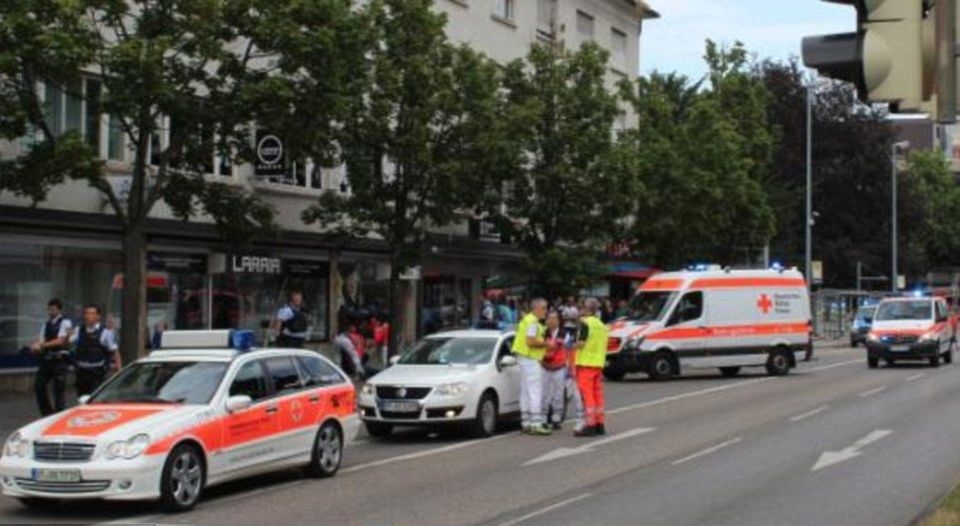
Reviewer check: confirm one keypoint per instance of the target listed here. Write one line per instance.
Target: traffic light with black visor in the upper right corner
(890, 58)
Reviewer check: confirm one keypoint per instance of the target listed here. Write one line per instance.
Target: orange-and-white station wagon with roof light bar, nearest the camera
(204, 409)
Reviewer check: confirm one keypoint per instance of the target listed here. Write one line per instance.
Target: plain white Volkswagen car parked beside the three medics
(465, 377)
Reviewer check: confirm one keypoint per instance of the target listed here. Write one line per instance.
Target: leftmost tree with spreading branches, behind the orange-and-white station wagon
(179, 81)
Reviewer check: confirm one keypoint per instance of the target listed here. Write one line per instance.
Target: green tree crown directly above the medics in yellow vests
(570, 182)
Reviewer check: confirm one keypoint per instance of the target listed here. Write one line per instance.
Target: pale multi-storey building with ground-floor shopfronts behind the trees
(68, 245)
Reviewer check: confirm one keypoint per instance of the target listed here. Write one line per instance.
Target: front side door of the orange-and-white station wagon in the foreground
(247, 433)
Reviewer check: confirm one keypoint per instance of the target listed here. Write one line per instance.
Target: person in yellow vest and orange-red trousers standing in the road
(591, 357)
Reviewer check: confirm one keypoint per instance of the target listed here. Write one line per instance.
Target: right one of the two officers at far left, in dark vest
(95, 350)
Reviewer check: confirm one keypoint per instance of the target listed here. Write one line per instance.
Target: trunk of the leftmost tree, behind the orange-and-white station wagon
(133, 314)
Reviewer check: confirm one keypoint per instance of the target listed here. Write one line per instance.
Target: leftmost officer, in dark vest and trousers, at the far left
(51, 352)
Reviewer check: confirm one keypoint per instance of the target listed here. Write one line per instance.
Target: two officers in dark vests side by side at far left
(90, 348)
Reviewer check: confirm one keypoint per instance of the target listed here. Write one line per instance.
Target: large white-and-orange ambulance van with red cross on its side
(713, 318)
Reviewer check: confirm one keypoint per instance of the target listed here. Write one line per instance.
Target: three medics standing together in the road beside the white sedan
(551, 347)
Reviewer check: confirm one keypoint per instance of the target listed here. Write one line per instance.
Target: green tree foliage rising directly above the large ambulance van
(704, 153)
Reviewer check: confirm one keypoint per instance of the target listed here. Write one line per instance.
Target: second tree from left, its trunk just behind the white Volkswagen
(418, 137)
